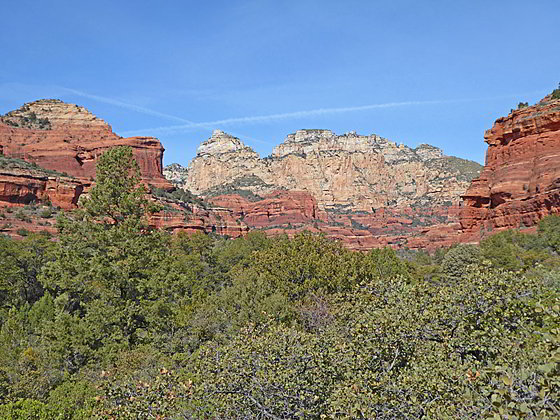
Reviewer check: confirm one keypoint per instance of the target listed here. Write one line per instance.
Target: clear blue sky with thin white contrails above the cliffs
(437, 72)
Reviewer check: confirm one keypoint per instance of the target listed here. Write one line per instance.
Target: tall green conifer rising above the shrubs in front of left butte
(105, 275)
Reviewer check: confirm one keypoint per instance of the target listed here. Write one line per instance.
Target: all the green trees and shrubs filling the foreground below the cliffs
(117, 321)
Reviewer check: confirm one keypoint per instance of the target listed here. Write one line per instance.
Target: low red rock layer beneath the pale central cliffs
(289, 212)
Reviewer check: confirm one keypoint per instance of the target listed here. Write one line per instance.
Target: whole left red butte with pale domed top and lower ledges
(62, 142)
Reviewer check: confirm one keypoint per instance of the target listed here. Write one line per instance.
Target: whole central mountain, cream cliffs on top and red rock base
(366, 191)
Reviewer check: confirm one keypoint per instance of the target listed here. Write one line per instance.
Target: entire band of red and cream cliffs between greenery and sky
(363, 190)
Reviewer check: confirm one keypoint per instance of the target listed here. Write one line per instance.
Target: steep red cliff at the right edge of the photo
(520, 182)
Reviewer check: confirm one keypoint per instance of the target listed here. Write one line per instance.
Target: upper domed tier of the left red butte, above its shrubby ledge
(69, 139)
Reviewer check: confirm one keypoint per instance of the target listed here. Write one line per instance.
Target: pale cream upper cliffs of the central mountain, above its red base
(350, 172)
